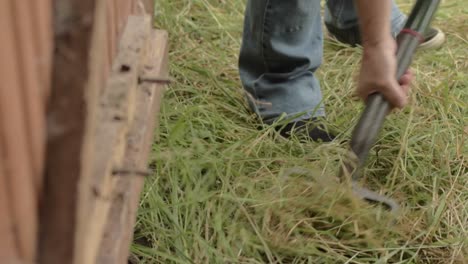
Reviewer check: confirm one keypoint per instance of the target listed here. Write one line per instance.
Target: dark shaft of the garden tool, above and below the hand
(373, 117)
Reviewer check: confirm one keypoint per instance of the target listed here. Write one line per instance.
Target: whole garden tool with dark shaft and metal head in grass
(377, 107)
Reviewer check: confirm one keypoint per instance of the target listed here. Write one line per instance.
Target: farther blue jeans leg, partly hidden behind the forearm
(341, 20)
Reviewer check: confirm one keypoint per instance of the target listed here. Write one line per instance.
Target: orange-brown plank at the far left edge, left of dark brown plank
(18, 163)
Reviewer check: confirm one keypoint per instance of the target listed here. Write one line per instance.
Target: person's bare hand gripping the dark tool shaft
(378, 71)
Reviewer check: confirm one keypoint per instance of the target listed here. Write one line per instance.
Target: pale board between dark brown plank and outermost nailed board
(114, 116)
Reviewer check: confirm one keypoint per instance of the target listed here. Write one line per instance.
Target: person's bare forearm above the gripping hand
(374, 21)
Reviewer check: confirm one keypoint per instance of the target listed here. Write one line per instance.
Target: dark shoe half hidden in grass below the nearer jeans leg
(306, 129)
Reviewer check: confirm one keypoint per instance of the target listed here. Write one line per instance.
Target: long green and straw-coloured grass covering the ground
(224, 191)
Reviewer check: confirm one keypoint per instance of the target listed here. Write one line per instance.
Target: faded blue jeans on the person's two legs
(282, 48)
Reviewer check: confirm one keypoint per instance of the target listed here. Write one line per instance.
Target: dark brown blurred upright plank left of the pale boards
(73, 27)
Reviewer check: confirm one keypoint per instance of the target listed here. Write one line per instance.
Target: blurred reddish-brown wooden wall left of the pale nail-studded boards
(55, 58)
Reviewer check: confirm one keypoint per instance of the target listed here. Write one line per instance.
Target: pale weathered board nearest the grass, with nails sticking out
(127, 186)
